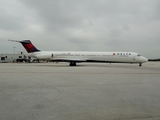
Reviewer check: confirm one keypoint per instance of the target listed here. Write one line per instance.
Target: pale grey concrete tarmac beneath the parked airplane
(88, 91)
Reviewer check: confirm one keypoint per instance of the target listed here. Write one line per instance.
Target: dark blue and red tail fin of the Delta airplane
(27, 44)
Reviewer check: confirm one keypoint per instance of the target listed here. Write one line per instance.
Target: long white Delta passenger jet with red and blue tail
(74, 57)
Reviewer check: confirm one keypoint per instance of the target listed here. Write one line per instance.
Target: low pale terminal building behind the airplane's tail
(19, 57)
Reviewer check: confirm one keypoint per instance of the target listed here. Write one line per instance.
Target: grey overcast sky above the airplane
(82, 25)
